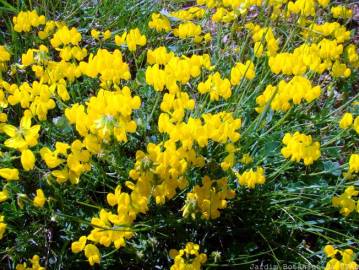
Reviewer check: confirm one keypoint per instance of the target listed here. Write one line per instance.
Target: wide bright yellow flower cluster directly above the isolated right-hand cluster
(282, 96)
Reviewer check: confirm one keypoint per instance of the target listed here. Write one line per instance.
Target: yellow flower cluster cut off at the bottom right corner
(346, 262)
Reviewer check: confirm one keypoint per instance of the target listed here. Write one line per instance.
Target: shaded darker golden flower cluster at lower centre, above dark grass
(208, 198)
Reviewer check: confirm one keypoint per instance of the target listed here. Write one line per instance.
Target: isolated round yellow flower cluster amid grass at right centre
(299, 147)
